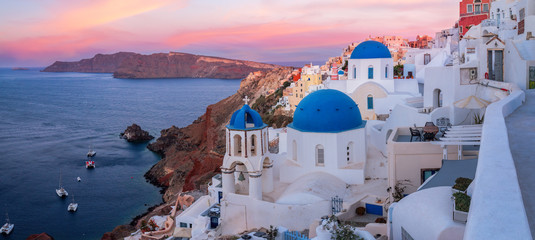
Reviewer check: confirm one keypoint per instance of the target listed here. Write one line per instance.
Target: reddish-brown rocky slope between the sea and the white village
(193, 154)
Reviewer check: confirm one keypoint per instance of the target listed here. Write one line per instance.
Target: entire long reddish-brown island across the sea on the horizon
(162, 65)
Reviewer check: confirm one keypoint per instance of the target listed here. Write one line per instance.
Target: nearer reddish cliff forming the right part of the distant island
(183, 65)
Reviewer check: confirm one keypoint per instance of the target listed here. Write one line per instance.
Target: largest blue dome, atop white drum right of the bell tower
(327, 110)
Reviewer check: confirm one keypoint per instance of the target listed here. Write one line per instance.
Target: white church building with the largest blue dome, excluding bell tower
(327, 135)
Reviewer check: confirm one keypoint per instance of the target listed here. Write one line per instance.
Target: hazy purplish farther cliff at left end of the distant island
(100, 63)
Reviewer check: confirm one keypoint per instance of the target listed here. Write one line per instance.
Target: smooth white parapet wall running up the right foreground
(497, 209)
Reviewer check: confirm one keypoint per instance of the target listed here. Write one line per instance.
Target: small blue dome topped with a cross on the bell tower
(246, 119)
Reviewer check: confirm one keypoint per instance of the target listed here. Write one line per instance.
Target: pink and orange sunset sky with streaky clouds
(39, 32)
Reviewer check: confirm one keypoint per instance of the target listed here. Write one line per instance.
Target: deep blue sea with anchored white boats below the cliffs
(48, 121)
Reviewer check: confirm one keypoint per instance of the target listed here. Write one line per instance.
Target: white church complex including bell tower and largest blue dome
(326, 153)
